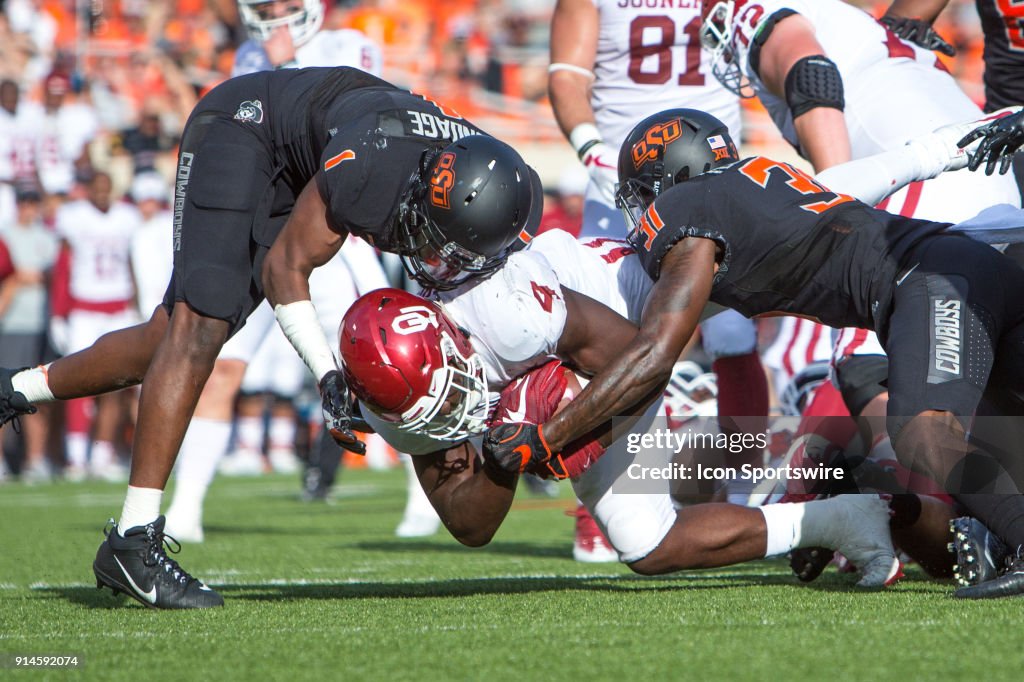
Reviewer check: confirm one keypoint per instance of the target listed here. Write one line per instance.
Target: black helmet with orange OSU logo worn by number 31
(665, 149)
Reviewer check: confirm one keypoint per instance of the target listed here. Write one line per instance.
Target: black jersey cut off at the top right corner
(1003, 24)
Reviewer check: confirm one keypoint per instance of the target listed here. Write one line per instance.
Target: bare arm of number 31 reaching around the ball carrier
(644, 369)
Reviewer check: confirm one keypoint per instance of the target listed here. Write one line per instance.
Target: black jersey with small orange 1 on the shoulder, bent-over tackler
(366, 138)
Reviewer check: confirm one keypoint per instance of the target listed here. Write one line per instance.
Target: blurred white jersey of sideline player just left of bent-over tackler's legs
(101, 244)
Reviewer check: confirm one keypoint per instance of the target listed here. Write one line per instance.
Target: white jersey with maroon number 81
(650, 60)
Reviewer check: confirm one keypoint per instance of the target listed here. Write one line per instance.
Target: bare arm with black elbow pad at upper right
(794, 66)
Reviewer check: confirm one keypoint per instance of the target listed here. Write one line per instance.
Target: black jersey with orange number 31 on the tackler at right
(788, 245)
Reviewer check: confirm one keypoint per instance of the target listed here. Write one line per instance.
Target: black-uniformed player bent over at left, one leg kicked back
(275, 170)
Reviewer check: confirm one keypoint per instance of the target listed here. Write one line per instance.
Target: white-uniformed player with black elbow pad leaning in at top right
(831, 77)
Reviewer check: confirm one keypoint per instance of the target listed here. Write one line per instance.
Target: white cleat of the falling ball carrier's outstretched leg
(861, 532)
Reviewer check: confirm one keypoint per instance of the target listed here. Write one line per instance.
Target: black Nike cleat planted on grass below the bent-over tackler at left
(138, 566)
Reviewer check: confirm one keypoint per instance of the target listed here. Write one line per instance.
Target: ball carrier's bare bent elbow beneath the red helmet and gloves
(472, 498)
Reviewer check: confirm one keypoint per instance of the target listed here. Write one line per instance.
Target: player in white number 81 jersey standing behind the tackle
(611, 67)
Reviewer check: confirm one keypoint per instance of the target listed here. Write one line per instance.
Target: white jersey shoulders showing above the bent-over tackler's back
(328, 49)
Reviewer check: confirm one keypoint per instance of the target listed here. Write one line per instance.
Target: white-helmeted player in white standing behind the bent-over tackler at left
(283, 34)
